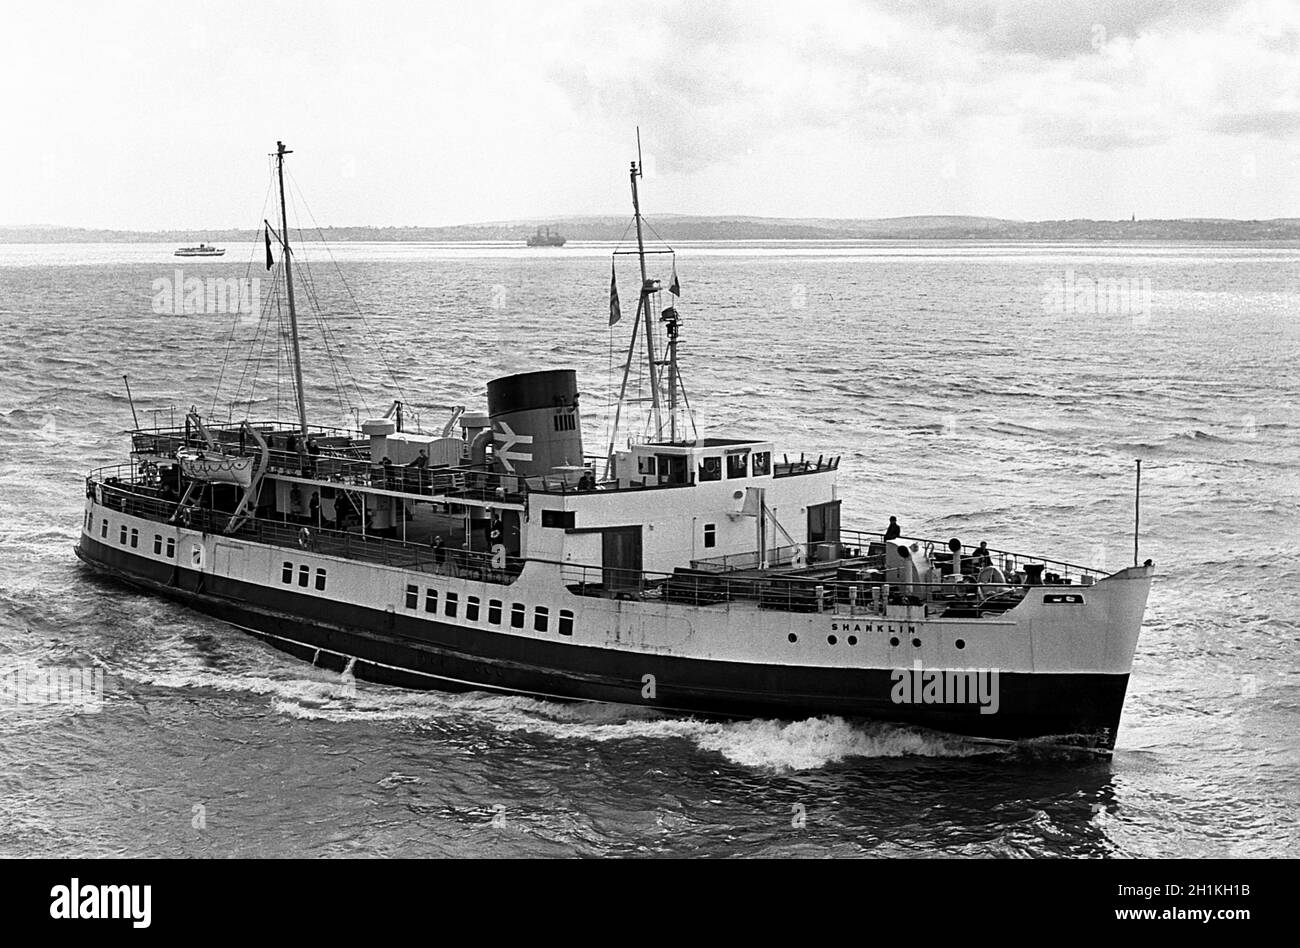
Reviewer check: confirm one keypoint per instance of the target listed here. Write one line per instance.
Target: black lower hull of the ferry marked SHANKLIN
(388, 648)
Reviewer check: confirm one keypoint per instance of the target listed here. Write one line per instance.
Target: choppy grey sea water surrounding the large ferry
(948, 415)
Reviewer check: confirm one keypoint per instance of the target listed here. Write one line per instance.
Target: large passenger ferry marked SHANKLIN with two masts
(696, 575)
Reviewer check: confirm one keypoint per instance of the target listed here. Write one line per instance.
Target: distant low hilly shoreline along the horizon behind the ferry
(682, 228)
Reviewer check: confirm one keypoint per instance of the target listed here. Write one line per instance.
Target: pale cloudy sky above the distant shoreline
(142, 116)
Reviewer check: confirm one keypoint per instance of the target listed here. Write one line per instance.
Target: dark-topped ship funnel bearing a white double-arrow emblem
(535, 422)
